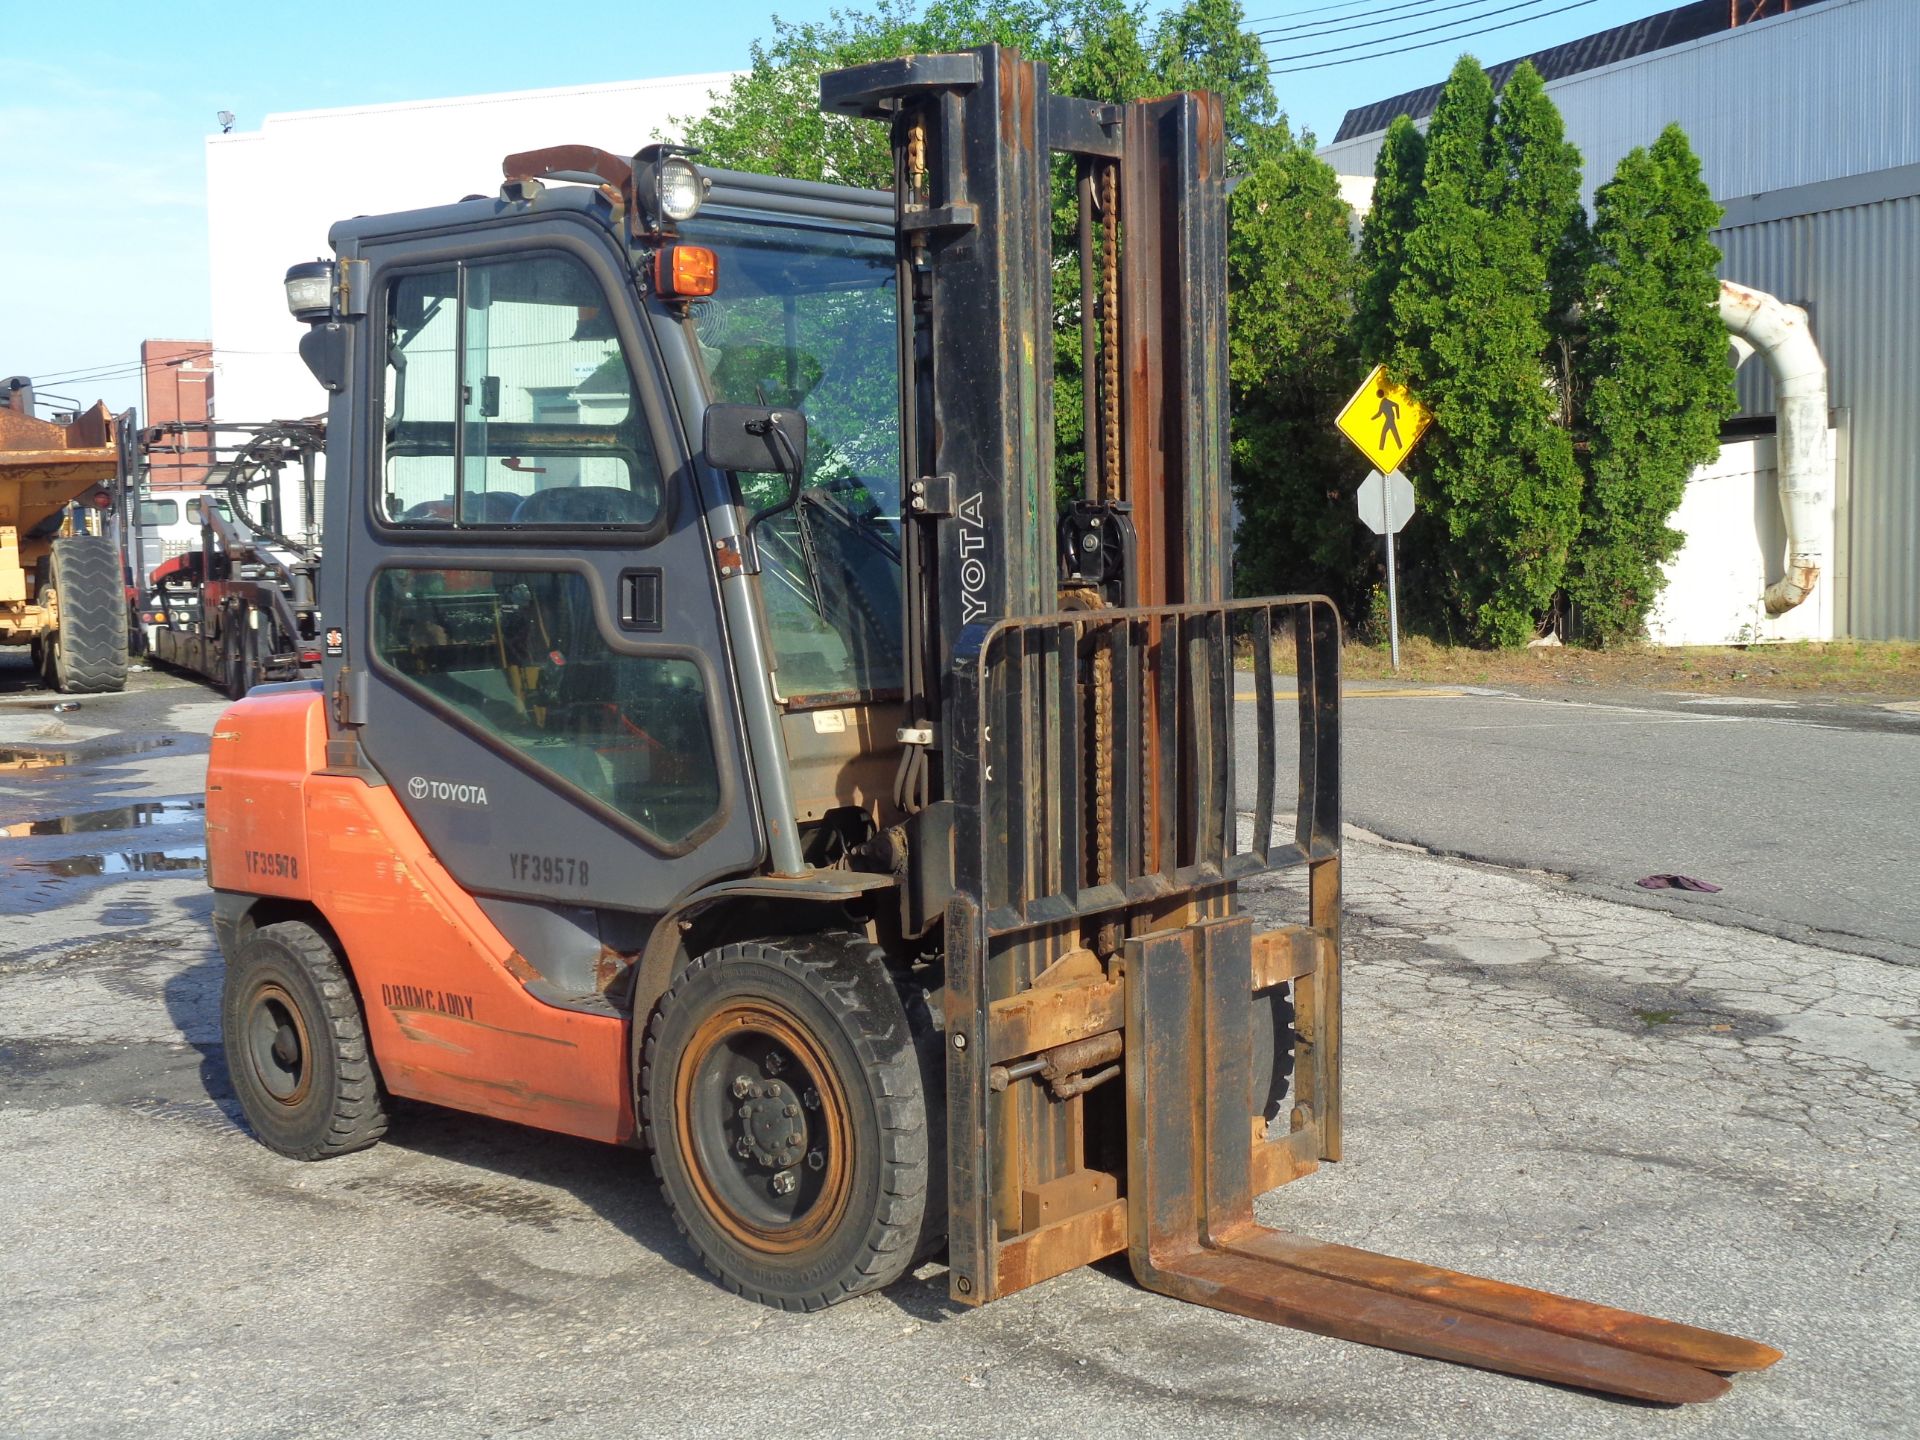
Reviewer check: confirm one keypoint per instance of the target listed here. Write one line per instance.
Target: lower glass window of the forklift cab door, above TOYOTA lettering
(519, 656)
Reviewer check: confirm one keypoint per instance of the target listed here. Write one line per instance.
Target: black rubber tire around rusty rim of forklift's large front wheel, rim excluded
(838, 990)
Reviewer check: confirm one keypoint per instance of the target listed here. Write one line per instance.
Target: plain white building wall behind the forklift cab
(274, 195)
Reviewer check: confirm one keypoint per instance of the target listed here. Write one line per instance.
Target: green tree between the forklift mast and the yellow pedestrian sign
(1291, 362)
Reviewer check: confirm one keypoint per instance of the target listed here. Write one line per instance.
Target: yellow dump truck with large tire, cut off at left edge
(62, 588)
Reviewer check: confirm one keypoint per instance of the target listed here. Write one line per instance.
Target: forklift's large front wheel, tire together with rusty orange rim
(790, 1105)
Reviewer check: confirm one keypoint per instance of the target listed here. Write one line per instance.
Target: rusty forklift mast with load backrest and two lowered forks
(1070, 700)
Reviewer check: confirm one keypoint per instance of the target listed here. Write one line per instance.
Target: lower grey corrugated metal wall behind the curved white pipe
(1860, 274)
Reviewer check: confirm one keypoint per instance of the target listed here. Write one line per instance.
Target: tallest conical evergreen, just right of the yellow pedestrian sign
(1470, 333)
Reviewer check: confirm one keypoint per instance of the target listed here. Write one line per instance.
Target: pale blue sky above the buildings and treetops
(103, 235)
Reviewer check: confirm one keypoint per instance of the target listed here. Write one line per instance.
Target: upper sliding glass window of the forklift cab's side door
(510, 402)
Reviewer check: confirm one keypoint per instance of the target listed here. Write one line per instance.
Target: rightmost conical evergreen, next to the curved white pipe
(1660, 379)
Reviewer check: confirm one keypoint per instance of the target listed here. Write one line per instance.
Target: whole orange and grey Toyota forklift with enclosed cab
(729, 746)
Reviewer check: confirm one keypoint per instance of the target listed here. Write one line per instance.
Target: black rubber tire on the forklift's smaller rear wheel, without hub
(339, 1107)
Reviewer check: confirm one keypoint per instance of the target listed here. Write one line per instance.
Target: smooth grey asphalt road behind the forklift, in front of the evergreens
(1804, 813)
